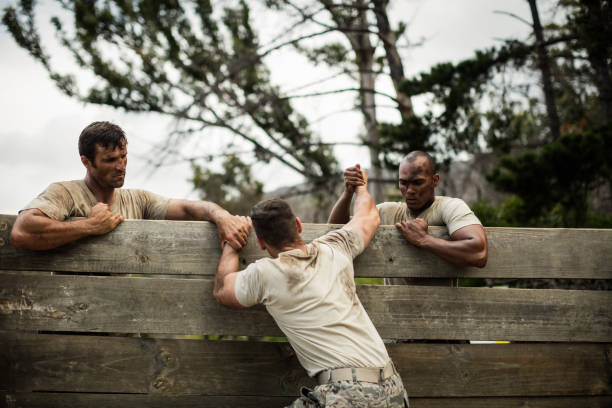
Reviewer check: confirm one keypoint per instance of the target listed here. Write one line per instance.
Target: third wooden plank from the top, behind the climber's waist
(50, 362)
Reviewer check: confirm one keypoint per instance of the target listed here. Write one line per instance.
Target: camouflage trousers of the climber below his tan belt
(389, 393)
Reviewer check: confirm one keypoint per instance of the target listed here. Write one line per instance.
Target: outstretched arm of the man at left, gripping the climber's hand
(228, 226)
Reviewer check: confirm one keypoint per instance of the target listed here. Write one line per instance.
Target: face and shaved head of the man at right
(417, 183)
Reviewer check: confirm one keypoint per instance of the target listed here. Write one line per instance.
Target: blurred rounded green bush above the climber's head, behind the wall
(233, 188)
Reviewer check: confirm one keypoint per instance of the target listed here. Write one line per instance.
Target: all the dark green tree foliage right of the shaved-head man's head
(482, 108)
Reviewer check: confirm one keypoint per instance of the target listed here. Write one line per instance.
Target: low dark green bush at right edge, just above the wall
(558, 177)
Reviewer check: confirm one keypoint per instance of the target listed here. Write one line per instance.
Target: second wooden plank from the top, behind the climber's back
(185, 306)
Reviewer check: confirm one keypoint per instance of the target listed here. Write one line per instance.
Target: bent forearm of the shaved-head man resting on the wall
(467, 247)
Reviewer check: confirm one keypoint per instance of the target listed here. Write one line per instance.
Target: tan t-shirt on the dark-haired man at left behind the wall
(67, 199)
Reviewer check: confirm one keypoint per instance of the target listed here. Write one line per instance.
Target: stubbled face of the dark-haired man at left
(108, 168)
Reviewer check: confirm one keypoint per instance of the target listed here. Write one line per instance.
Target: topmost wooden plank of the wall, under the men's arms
(172, 247)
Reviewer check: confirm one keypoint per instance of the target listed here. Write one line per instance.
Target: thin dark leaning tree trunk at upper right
(543, 63)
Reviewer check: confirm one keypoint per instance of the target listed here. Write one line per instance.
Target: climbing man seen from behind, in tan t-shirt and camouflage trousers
(310, 292)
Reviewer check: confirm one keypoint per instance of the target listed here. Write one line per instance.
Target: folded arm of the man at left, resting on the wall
(34, 230)
